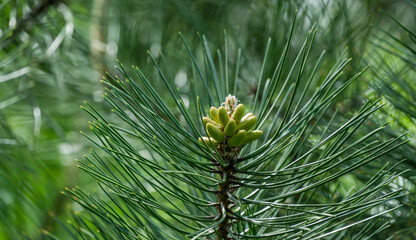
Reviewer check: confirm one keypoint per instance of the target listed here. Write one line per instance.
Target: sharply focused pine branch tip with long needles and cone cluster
(267, 168)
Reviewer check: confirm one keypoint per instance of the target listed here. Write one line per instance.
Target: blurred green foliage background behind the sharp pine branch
(53, 53)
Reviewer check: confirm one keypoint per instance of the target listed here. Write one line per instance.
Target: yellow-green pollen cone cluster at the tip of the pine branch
(229, 126)
